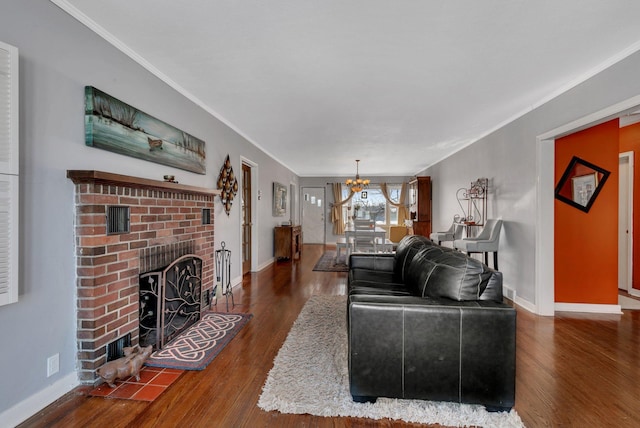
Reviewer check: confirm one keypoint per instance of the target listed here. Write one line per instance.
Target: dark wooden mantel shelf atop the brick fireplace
(86, 176)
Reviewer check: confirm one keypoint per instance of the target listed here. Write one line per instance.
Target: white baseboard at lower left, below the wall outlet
(38, 401)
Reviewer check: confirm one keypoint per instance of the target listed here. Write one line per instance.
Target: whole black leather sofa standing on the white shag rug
(429, 322)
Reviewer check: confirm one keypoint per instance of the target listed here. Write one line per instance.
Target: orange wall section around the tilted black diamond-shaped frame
(586, 244)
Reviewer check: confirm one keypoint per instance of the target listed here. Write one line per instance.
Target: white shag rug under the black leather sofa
(310, 375)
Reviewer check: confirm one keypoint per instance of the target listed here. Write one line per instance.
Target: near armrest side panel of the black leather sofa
(410, 347)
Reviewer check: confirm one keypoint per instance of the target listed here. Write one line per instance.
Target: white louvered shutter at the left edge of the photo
(8, 174)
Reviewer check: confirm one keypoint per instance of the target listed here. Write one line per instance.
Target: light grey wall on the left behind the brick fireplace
(58, 57)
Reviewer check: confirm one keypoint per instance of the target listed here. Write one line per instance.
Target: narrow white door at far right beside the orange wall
(625, 221)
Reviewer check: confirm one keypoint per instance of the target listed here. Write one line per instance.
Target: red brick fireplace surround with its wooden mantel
(108, 264)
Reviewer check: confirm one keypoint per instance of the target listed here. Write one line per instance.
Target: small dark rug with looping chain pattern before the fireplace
(199, 344)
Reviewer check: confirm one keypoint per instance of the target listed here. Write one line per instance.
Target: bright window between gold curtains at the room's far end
(371, 204)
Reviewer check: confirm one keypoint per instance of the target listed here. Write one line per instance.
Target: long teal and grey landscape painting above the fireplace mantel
(117, 127)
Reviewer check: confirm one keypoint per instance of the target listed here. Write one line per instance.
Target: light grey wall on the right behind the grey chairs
(509, 158)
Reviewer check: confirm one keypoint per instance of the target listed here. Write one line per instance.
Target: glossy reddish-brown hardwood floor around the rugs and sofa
(573, 370)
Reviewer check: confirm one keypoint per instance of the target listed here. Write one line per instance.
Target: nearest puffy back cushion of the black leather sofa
(442, 272)
